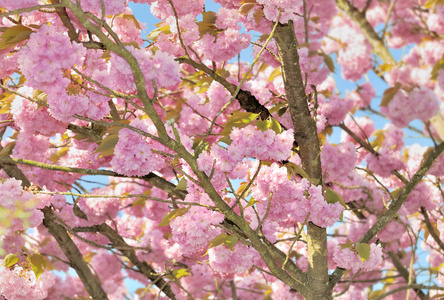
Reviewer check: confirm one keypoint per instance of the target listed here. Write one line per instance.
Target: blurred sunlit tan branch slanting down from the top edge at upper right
(377, 43)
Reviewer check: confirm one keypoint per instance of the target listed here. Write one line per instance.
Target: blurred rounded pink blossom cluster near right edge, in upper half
(405, 107)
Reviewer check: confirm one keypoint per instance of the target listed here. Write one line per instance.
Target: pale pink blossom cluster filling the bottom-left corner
(17, 283)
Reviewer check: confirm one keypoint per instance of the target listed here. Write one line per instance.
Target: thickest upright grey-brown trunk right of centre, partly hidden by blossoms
(305, 134)
